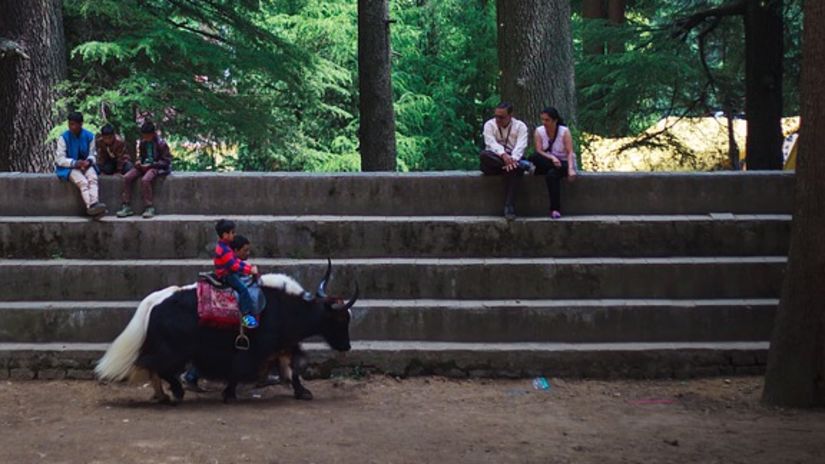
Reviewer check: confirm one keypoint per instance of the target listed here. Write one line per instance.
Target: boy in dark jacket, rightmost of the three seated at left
(153, 160)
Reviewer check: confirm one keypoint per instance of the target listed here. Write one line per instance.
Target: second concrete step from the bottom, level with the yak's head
(491, 321)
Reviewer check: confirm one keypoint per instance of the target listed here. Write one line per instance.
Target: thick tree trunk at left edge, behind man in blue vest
(32, 61)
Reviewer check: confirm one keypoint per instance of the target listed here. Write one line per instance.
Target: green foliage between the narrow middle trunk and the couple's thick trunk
(444, 79)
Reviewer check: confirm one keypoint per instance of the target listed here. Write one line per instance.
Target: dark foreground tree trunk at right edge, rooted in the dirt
(796, 363)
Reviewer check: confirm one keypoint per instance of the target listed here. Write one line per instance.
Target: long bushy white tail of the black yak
(120, 358)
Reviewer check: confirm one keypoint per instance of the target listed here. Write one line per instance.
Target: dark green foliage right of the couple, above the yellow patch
(654, 70)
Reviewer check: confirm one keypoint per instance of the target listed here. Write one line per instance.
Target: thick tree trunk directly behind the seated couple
(535, 50)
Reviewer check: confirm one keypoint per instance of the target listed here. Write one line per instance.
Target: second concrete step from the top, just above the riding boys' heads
(193, 236)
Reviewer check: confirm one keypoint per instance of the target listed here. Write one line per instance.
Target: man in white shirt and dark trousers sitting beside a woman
(505, 139)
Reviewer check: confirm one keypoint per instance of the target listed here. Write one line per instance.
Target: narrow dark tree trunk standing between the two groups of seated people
(377, 132)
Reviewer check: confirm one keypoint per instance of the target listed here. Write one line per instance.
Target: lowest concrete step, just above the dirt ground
(515, 360)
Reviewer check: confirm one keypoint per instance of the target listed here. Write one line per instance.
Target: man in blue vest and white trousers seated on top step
(75, 161)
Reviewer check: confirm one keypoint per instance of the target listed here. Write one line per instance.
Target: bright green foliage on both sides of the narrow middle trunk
(277, 80)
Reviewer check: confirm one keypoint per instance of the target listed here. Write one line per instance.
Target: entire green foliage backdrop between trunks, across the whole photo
(273, 84)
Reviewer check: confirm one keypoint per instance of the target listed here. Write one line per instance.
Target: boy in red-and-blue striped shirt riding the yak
(230, 269)
